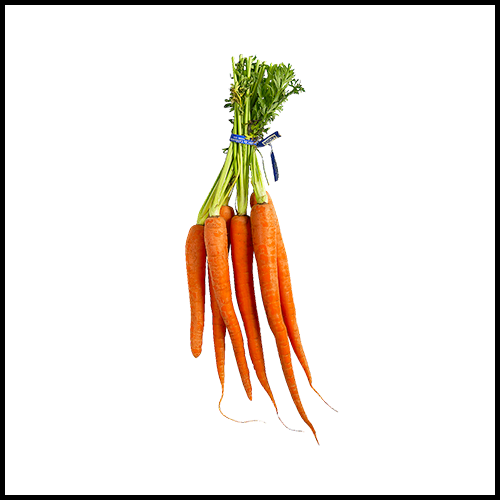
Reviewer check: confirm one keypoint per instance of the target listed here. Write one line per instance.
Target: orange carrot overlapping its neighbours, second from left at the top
(216, 244)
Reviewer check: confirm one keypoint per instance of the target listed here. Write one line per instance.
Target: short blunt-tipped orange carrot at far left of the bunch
(195, 272)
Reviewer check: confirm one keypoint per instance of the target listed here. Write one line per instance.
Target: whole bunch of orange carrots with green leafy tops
(258, 93)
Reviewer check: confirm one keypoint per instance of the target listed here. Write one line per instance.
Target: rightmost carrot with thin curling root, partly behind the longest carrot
(287, 301)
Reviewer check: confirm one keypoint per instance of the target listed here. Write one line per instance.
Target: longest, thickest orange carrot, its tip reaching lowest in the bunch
(264, 244)
